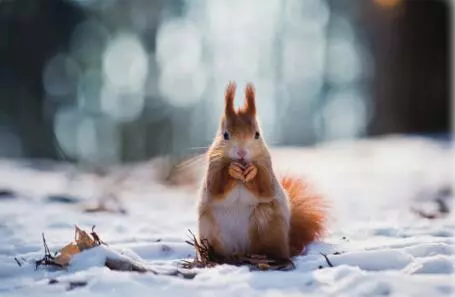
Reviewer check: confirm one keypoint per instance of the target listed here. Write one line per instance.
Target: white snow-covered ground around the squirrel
(386, 250)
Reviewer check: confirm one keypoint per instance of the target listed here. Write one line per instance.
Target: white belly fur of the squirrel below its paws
(233, 218)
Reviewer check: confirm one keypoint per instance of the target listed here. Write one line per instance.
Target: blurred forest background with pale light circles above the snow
(112, 81)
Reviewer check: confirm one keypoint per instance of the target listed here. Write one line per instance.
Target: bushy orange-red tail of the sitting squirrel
(308, 214)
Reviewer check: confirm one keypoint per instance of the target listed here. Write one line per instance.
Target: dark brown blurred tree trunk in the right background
(410, 44)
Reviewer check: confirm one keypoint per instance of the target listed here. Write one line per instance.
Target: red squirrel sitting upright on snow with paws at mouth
(243, 208)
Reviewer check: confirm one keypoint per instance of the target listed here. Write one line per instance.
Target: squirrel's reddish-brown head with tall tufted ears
(239, 136)
